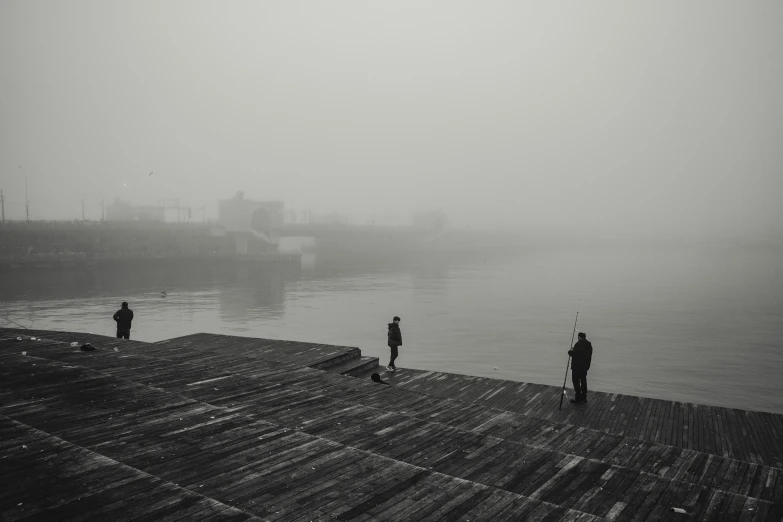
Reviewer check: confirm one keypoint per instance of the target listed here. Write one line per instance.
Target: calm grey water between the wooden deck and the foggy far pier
(696, 324)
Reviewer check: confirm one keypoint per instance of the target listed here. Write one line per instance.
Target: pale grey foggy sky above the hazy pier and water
(633, 117)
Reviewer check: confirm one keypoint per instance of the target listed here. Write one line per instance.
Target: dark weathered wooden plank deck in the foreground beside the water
(215, 427)
